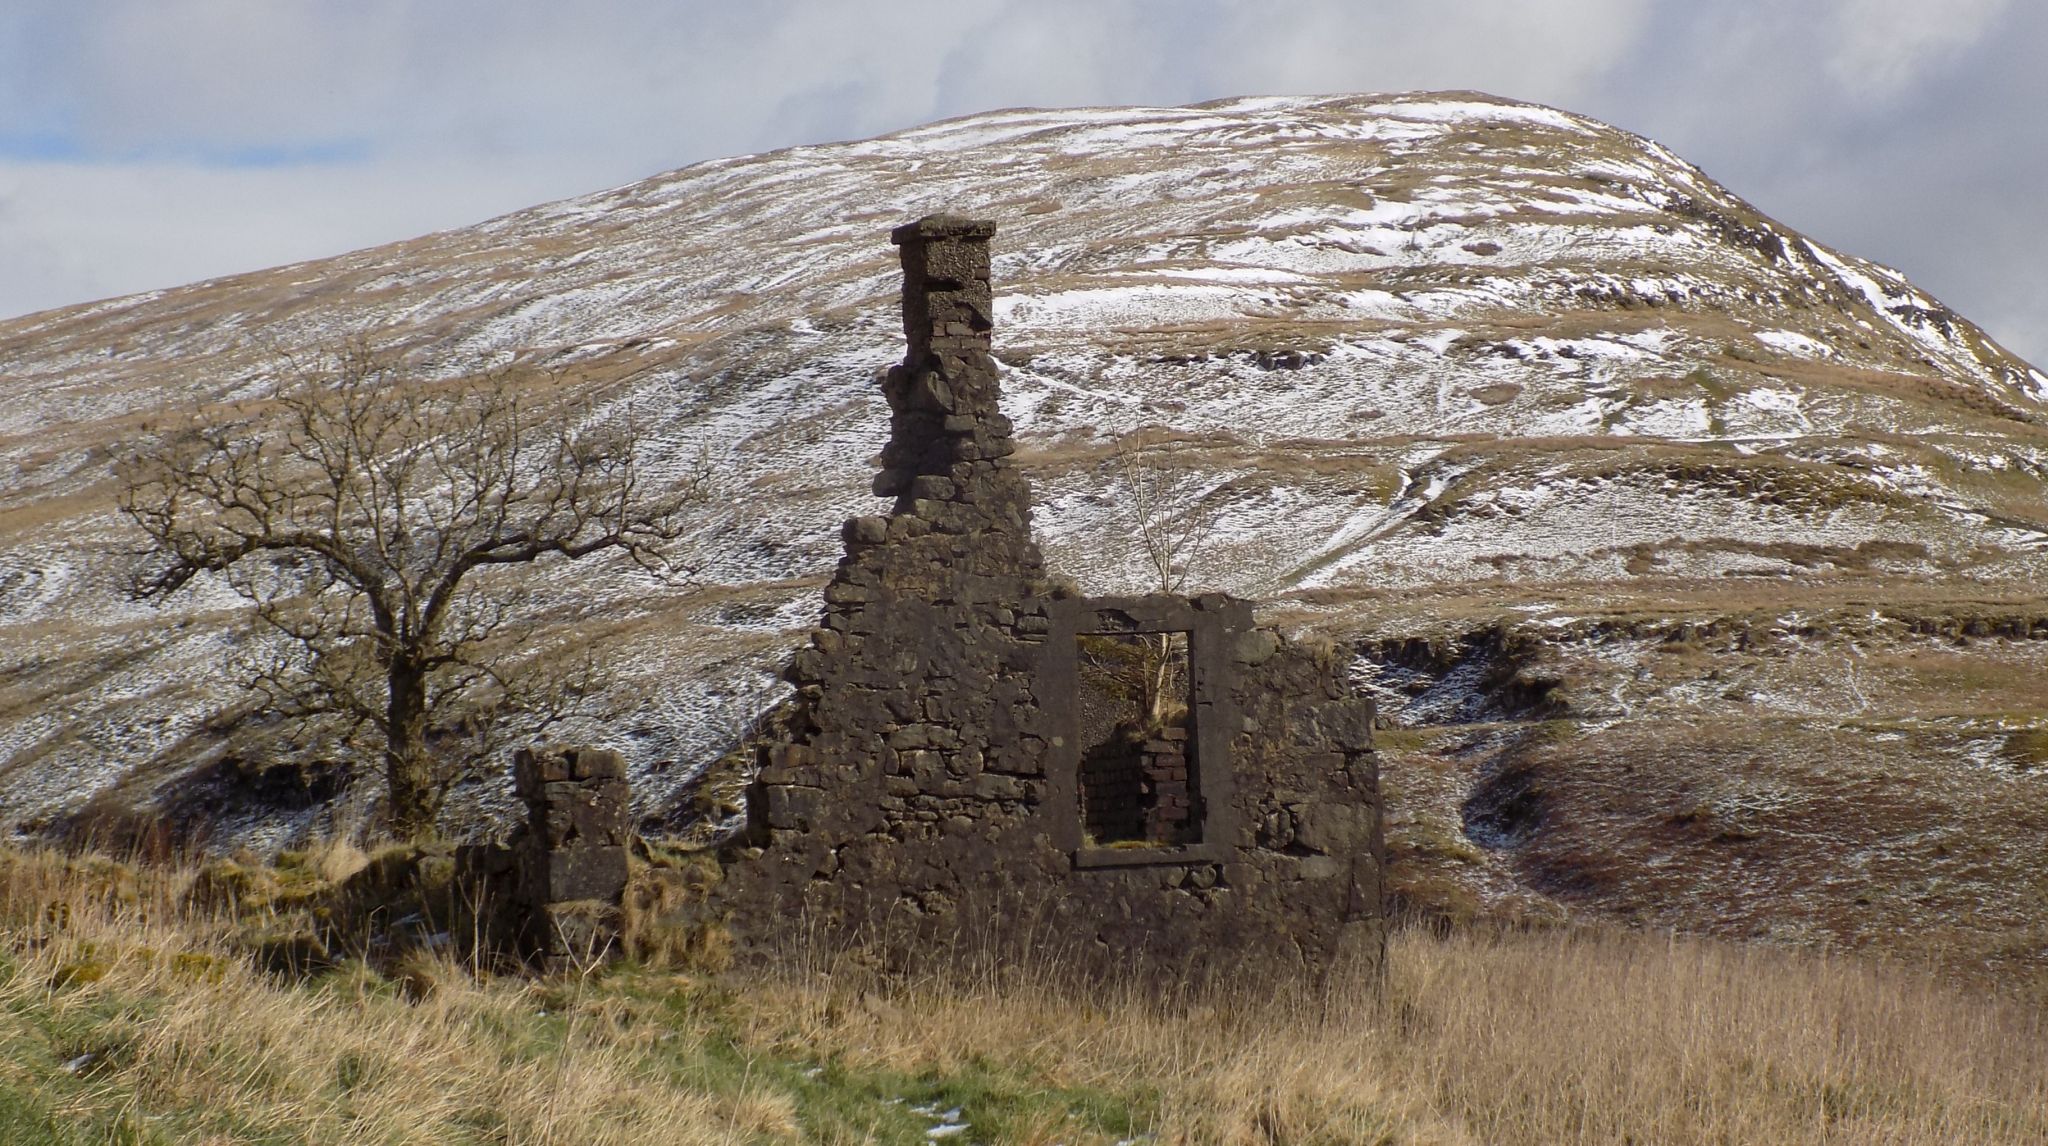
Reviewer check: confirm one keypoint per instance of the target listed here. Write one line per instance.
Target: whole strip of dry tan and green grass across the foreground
(130, 1018)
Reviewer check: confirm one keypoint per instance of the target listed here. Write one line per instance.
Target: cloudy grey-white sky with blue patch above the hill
(159, 142)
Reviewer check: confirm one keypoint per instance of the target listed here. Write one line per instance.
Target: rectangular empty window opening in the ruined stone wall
(1140, 783)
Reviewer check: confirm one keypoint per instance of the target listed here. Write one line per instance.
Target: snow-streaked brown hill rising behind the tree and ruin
(1426, 349)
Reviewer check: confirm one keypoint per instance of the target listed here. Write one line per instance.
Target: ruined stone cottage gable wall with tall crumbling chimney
(1127, 783)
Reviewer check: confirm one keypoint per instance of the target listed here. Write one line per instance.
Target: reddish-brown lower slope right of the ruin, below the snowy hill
(1846, 770)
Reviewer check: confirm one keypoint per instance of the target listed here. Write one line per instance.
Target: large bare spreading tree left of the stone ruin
(376, 523)
